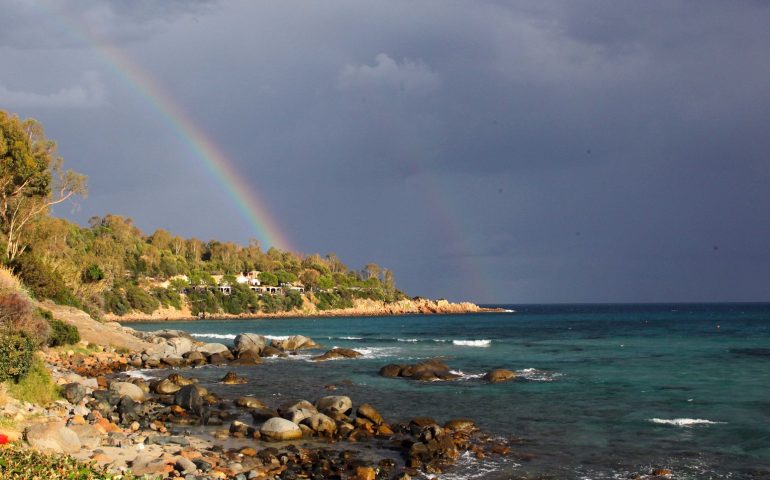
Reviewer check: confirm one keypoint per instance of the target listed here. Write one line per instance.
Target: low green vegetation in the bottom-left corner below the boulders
(19, 463)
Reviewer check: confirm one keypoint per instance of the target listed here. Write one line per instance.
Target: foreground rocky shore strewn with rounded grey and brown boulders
(173, 428)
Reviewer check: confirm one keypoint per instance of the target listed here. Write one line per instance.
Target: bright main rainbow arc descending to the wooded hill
(251, 207)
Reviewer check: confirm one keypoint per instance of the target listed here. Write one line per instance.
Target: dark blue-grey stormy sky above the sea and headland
(490, 151)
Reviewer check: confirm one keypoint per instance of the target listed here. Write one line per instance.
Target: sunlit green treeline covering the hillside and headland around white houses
(112, 266)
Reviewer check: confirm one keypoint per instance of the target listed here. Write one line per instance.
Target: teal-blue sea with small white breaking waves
(603, 391)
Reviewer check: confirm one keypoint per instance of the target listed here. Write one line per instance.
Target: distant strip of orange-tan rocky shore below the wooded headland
(360, 308)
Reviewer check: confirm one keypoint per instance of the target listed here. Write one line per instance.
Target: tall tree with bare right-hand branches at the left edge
(31, 179)
